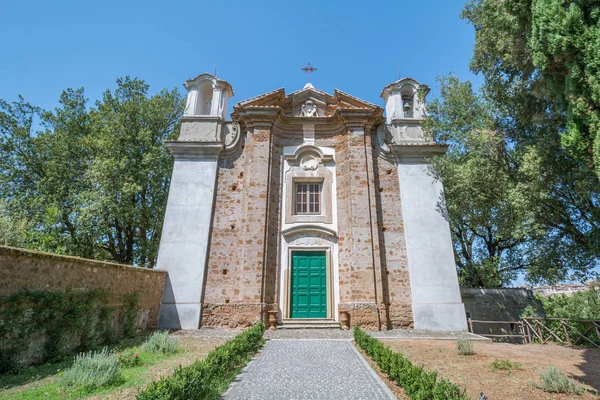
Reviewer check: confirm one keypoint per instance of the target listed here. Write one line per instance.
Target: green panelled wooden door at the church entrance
(309, 285)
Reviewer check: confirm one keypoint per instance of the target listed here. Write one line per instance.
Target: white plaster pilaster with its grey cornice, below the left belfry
(186, 232)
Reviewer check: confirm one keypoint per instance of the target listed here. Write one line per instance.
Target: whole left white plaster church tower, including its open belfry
(187, 224)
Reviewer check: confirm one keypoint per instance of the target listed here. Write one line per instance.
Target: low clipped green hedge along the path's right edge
(418, 383)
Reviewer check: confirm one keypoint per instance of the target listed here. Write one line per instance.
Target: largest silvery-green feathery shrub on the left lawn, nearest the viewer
(92, 370)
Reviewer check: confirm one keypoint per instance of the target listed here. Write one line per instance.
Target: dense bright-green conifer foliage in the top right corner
(565, 47)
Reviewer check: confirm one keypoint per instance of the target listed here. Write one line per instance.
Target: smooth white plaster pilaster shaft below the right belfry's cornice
(437, 304)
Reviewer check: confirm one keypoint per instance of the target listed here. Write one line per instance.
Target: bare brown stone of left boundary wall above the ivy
(22, 269)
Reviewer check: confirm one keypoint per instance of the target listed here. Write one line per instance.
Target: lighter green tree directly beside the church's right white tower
(491, 223)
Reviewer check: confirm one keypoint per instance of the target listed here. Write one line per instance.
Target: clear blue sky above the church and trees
(259, 46)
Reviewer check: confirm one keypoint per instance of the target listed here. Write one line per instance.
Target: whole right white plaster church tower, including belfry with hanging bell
(436, 299)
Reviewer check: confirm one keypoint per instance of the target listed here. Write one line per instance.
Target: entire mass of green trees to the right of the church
(521, 176)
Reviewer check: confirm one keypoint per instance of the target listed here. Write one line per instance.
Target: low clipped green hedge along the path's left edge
(207, 379)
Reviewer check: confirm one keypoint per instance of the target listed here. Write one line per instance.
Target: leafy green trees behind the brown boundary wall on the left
(89, 181)
